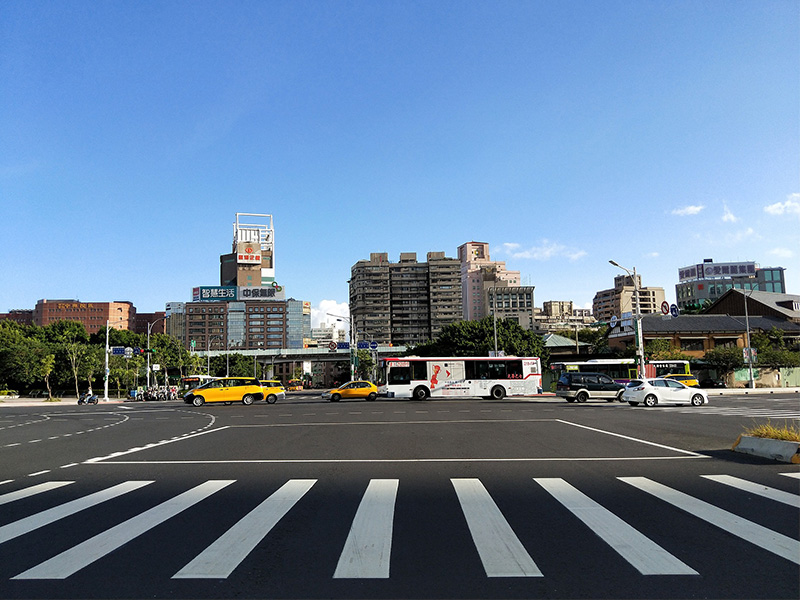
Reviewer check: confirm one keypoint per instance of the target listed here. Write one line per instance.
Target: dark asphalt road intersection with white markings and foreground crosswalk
(395, 499)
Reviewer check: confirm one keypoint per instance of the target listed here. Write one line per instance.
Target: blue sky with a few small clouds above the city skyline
(563, 133)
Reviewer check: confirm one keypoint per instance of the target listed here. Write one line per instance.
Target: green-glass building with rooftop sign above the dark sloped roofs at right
(706, 282)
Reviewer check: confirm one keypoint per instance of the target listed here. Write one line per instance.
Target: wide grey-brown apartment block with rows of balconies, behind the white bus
(407, 302)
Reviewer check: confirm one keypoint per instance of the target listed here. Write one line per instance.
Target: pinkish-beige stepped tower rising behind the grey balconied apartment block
(478, 274)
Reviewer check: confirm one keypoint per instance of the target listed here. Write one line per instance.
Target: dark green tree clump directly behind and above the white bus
(476, 338)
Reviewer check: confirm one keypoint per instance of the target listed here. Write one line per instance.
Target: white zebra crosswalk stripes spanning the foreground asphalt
(366, 551)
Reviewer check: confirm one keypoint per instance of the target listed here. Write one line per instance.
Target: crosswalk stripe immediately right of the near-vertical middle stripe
(501, 552)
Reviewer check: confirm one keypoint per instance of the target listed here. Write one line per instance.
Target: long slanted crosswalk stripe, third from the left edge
(84, 554)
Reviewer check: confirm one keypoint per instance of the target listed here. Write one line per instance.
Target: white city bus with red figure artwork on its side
(487, 377)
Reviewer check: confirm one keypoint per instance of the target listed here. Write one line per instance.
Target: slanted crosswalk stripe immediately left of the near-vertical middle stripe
(220, 559)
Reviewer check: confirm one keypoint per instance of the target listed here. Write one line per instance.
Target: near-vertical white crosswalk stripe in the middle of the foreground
(368, 548)
